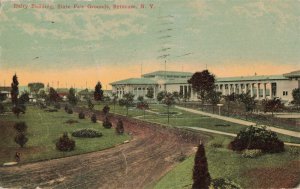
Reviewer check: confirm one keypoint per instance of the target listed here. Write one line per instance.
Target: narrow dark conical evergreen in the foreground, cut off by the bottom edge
(201, 176)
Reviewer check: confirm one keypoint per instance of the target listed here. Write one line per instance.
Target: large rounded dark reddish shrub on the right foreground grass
(257, 138)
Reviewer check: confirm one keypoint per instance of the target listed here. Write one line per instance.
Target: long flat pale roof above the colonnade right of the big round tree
(251, 78)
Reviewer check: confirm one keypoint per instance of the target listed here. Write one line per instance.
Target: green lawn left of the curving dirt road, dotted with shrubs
(44, 128)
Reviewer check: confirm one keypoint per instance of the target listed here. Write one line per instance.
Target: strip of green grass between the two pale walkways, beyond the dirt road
(185, 119)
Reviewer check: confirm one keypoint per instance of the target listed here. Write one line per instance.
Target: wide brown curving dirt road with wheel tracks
(138, 164)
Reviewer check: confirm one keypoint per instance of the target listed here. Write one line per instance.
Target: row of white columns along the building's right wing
(254, 88)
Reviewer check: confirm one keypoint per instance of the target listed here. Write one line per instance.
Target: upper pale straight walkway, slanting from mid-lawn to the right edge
(241, 122)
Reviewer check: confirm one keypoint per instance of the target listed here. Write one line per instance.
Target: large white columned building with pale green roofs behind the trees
(259, 86)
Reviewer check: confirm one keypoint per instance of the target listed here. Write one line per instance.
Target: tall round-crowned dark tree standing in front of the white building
(202, 83)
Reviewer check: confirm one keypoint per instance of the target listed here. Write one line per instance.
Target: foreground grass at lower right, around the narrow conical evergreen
(224, 163)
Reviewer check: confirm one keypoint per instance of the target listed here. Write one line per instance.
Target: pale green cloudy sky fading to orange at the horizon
(80, 46)
